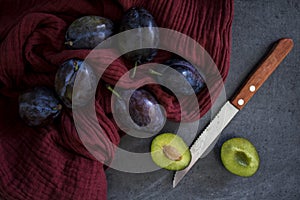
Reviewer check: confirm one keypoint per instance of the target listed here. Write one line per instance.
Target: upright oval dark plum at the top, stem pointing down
(139, 18)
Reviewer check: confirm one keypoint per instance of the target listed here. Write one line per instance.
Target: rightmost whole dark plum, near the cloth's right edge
(171, 76)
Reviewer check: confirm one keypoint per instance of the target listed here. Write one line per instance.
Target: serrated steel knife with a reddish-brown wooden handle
(227, 112)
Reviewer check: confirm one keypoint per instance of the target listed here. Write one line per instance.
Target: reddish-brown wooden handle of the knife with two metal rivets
(262, 72)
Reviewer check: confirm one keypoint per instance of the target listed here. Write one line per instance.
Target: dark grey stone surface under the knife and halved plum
(271, 120)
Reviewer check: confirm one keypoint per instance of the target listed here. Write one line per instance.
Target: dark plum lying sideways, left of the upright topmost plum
(88, 31)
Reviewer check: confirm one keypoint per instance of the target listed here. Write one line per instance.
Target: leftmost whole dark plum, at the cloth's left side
(39, 106)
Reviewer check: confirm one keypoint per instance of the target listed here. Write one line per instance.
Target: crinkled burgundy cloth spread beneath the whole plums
(51, 162)
